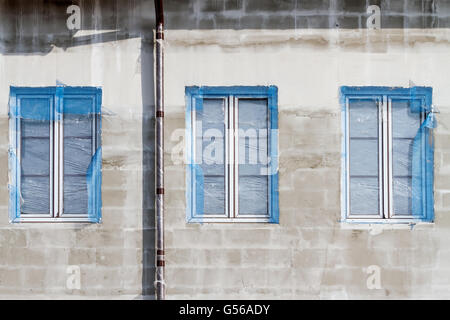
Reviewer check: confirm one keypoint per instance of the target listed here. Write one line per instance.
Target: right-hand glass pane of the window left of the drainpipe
(79, 148)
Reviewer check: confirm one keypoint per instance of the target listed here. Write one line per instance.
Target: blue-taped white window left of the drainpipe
(55, 154)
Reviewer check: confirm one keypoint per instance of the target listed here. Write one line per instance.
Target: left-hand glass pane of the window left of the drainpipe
(35, 155)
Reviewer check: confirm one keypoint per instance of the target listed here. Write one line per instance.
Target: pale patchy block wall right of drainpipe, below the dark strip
(310, 254)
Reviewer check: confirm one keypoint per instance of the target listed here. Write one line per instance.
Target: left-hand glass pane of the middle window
(210, 154)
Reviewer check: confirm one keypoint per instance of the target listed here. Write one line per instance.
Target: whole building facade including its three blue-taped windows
(349, 105)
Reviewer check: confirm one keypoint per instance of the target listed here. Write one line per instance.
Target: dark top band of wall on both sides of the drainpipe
(34, 26)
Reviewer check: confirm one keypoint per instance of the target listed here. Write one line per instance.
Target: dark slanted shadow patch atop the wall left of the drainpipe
(36, 26)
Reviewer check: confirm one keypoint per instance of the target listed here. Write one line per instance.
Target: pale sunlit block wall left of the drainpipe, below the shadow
(36, 258)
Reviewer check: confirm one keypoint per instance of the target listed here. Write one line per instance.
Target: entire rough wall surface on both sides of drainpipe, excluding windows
(309, 254)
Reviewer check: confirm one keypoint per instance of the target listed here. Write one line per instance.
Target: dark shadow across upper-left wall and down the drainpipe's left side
(35, 27)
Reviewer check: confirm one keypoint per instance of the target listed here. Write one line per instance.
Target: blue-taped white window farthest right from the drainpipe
(388, 154)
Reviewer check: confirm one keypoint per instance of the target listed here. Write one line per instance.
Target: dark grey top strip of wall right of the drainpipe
(299, 14)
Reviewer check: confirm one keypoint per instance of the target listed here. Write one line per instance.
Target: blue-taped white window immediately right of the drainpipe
(232, 172)
